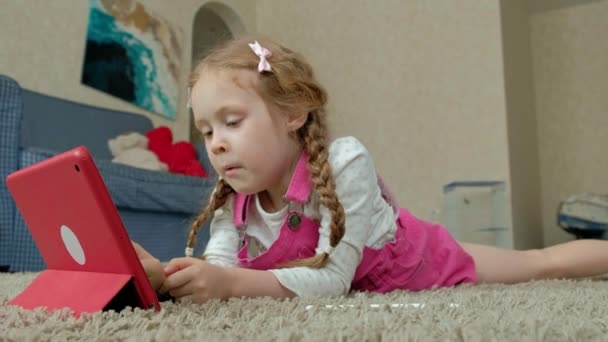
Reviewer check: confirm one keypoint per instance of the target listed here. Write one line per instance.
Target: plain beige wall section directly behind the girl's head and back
(420, 82)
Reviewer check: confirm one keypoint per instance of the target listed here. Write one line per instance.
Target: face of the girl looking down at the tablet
(248, 146)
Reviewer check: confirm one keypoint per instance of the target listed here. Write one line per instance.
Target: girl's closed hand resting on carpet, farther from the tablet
(195, 280)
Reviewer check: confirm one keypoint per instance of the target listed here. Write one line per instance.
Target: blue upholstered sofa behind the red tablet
(156, 207)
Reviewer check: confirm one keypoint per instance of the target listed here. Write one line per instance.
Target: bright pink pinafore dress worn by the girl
(421, 256)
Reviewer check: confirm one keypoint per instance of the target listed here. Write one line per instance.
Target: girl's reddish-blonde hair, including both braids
(289, 87)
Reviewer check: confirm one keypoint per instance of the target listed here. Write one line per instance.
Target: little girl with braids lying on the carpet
(296, 215)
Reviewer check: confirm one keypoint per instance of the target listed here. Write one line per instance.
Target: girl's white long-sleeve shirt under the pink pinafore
(369, 221)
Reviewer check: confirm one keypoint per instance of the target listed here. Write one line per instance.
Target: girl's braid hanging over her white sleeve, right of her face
(314, 135)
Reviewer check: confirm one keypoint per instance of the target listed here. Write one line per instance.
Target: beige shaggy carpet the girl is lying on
(535, 311)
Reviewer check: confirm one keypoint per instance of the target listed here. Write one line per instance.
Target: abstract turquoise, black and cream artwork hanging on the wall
(133, 54)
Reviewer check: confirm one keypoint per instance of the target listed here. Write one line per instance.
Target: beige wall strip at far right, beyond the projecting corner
(569, 49)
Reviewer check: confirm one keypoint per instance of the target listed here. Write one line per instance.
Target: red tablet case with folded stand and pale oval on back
(91, 264)
